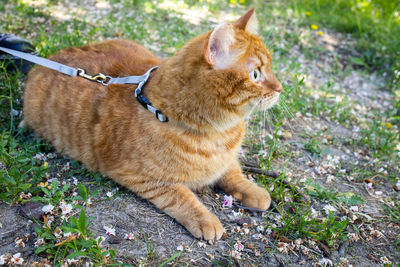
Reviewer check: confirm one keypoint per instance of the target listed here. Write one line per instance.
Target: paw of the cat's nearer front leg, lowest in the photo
(207, 227)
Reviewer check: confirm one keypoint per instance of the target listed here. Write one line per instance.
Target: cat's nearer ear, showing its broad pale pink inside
(218, 46)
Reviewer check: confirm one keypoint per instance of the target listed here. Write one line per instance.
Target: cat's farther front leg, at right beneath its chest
(248, 192)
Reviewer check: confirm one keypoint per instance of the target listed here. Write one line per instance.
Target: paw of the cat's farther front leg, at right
(254, 197)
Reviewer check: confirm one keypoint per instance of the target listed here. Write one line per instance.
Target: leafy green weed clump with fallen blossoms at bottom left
(78, 242)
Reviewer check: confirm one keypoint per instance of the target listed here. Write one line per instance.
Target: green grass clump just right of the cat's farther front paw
(296, 218)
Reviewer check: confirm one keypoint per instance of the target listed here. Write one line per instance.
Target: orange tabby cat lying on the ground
(206, 90)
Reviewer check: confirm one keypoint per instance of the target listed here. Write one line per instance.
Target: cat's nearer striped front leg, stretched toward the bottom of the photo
(179, 202)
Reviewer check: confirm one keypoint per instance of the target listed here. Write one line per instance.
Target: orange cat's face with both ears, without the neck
(237, 47)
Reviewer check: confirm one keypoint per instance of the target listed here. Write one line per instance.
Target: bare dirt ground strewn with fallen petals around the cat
(156, 237)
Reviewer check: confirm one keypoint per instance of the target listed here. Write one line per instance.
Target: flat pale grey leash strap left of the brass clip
(42, 61)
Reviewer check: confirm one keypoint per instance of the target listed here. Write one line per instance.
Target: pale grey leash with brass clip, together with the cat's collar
(101, 78)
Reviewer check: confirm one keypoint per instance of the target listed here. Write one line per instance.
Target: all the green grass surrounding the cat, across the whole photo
(285, 27)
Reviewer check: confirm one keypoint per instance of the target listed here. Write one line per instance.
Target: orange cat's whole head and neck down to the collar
(216, 79)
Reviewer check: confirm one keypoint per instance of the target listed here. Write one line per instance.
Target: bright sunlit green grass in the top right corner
(374, 23)
